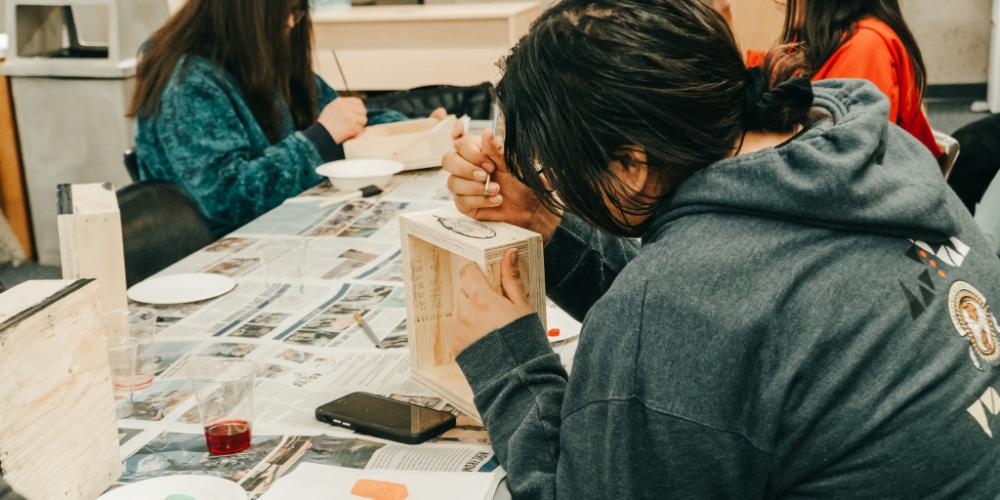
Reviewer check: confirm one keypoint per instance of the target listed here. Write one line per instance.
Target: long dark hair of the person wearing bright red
(824, 25)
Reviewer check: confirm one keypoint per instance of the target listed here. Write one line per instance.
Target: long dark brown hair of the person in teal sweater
(251, 41)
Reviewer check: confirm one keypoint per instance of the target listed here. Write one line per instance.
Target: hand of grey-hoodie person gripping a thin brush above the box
(505, 199)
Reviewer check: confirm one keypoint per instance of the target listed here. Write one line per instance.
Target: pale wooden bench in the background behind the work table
(402, 47)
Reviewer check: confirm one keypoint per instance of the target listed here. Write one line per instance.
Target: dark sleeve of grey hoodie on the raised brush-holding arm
(581, 263)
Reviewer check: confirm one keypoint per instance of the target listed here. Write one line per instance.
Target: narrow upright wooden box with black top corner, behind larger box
(90, 242)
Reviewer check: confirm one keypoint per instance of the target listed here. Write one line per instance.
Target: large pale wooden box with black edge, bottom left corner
(58, 433)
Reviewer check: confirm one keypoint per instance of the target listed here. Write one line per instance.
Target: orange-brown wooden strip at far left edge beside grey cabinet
(13, 200)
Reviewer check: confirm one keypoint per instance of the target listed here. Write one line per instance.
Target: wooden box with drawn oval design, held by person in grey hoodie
(436, 245)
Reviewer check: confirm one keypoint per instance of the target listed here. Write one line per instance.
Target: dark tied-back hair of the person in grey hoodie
(595, 82)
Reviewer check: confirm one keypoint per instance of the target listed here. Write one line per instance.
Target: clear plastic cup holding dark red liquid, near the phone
(223, 389)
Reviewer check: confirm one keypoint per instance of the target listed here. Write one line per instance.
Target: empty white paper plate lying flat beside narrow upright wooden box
(181, 289)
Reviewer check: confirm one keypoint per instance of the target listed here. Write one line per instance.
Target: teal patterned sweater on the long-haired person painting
(206, 140)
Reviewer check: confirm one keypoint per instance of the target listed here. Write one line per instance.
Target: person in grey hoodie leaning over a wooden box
(807, 312)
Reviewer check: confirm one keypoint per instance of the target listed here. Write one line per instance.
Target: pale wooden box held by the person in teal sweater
(415, 143)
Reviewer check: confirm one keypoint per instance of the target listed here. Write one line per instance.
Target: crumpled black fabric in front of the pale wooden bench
(475, 101)
